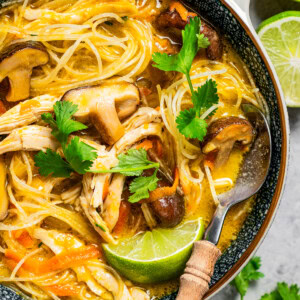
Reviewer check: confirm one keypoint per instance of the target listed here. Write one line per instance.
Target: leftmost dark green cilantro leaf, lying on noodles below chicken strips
(50, 162)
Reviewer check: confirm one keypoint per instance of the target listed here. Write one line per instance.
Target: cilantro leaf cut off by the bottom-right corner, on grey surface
(283, 292)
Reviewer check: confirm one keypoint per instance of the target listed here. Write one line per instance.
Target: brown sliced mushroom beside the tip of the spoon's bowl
(222, 134)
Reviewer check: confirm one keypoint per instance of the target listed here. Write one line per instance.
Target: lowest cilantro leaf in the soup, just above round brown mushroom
(141, 186)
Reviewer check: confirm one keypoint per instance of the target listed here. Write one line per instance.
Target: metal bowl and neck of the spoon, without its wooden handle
(251, 176)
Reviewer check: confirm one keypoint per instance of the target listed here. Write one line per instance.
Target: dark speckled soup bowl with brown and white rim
(232, 21)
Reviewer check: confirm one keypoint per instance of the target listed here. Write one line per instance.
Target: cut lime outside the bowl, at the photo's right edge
(281, 37)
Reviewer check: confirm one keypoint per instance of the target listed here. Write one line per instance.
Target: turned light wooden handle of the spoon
(194, 283)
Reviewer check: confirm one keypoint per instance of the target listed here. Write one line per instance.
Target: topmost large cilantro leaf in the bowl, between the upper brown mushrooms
(181, 62)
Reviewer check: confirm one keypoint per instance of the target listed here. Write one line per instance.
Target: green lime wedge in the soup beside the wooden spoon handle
(157, 255)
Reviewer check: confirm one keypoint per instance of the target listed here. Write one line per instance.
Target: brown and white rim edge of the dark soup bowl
(257, 241)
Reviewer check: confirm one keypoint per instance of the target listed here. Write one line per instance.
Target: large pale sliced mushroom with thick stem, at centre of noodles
(105, 105)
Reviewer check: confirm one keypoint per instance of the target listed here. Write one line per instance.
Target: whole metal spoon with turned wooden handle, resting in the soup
(194, 283)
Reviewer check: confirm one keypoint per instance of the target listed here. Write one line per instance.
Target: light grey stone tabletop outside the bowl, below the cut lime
(280, 251)
